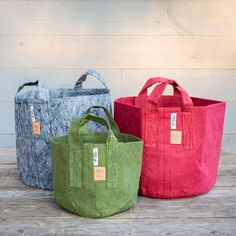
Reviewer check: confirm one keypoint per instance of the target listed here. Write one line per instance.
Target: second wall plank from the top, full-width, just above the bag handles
(188, 52)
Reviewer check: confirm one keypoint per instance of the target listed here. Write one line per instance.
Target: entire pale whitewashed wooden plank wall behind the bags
(191, 41)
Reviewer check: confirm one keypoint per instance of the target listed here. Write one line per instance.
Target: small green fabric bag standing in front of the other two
(96, 174)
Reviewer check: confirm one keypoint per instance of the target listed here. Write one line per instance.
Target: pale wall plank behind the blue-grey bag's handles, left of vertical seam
(56, 78)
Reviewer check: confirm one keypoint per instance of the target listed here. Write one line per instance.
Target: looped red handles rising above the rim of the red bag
(159, 89)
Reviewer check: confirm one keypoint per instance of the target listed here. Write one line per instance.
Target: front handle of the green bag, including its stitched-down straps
(75, 153)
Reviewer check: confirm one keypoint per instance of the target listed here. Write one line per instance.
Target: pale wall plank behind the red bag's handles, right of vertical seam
(212, 84)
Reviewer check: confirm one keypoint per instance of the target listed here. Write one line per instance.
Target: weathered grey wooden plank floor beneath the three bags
(28, 211)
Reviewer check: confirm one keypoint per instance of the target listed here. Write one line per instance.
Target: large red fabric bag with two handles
(182, 139)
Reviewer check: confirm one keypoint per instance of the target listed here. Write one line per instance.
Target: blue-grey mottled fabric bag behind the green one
(45, 113)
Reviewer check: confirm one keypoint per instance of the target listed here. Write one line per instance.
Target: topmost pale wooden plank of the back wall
(117, 18)
